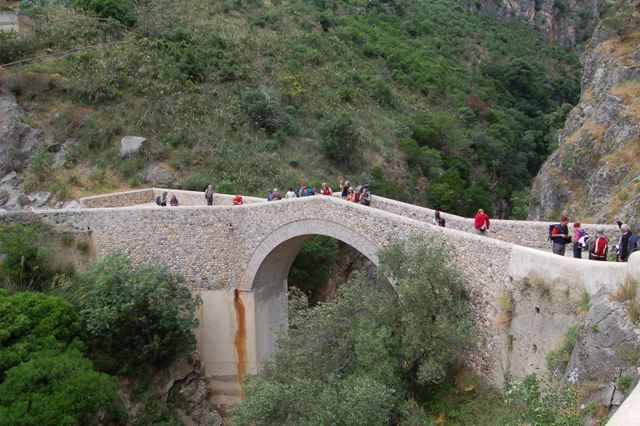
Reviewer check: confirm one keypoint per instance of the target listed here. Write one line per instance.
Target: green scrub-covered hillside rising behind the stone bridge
(428, 102)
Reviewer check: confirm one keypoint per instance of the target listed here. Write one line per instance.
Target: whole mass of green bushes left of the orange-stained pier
(58, 351)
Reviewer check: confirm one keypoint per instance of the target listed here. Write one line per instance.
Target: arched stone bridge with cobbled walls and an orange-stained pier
(237, 259)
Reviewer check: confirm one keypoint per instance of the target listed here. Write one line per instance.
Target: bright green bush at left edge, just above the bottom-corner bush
(34, 322)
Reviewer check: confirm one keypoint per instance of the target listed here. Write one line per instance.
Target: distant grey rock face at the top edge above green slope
(565, 22)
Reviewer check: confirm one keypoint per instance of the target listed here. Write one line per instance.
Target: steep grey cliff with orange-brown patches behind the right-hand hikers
(594, 175)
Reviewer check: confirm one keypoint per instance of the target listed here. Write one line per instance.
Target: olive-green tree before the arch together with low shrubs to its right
(382, 356)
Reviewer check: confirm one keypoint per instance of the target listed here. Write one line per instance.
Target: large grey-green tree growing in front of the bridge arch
(363, 357)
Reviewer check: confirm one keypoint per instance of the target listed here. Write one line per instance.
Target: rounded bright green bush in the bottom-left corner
(58, 389)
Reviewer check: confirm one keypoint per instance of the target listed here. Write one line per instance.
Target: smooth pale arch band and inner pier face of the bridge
(266, 274)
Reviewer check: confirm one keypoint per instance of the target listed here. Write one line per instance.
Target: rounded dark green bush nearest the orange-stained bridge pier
(135, 315)
